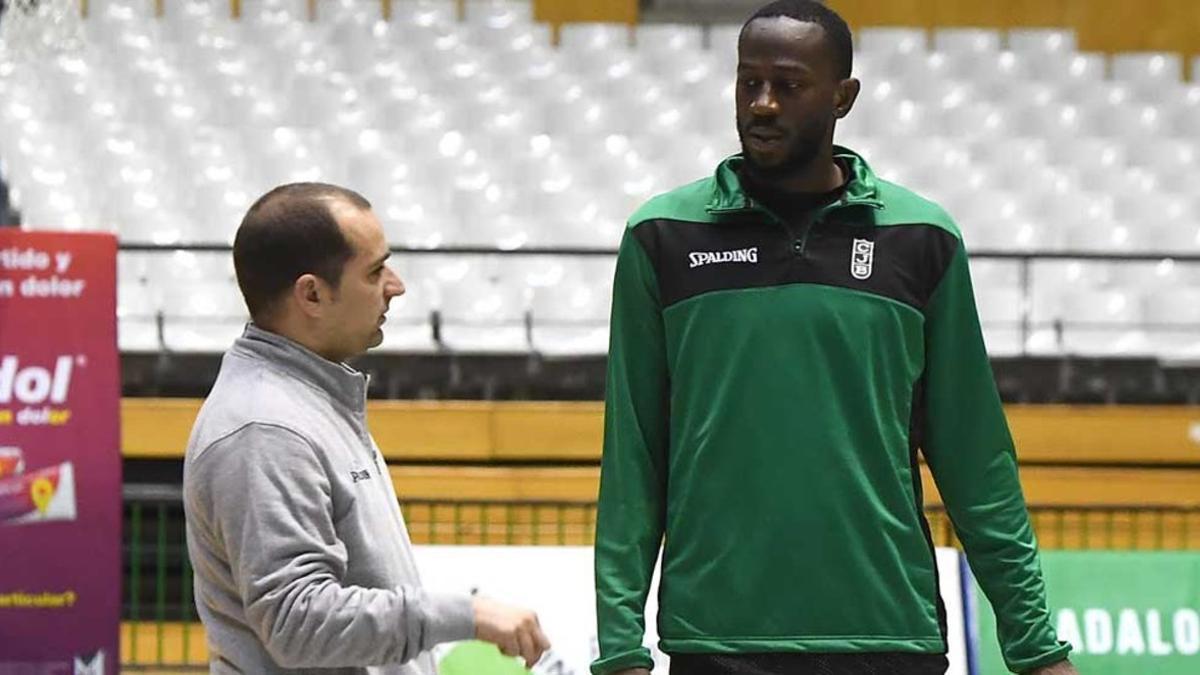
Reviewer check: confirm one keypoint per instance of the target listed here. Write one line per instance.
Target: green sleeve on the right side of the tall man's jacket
(970, 451)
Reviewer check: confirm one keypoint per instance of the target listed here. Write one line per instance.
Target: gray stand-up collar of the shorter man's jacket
(344, 385)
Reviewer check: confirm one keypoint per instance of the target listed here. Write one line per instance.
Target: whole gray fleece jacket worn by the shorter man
(302, 557)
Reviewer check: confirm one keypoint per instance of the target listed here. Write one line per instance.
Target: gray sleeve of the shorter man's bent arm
(269, 503)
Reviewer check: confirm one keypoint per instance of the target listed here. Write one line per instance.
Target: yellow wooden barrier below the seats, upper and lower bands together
(1071, 456)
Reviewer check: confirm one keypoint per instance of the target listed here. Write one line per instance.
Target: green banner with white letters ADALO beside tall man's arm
(1125, 613)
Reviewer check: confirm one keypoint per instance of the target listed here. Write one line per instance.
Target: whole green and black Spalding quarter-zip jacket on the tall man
(770, 386)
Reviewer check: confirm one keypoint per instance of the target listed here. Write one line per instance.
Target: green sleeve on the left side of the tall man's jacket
(633, 474)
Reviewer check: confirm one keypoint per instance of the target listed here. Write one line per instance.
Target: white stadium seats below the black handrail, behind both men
(560, 306)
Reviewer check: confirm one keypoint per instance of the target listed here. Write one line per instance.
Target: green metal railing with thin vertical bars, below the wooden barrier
(163, 634)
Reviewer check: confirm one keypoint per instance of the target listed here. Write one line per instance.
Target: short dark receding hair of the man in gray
(287, 234)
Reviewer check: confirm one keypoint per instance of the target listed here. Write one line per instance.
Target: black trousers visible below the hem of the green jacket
(808, 664)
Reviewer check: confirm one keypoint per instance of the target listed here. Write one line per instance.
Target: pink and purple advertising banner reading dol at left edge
(61, 465)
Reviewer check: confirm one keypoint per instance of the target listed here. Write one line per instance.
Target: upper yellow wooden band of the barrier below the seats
(479, 432)
